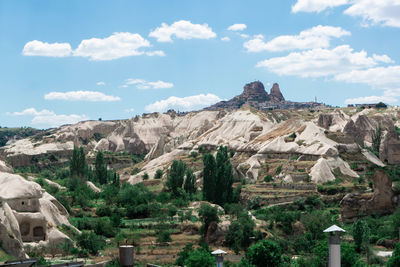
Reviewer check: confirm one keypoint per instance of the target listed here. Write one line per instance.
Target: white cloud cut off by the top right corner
(385, 12)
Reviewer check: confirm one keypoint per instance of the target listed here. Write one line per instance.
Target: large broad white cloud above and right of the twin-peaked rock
(319, 62)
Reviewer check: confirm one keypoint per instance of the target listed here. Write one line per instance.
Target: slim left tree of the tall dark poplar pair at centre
(209, 177)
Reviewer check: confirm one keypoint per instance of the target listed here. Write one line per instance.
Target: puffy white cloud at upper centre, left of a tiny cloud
(182, 29)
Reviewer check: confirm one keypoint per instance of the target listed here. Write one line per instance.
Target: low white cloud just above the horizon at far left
(49, 118)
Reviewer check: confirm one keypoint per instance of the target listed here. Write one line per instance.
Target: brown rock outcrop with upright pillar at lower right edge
(381, 201)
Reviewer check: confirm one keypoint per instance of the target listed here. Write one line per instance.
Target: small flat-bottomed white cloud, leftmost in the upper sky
(38, 48)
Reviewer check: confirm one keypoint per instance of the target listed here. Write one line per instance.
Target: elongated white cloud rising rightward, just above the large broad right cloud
(316, 37)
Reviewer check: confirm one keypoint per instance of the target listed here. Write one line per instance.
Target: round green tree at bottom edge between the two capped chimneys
(265, 253)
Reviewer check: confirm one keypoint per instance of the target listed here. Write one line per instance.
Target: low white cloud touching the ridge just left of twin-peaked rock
(183, 103)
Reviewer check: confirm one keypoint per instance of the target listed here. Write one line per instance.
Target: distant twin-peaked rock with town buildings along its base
(254, 95)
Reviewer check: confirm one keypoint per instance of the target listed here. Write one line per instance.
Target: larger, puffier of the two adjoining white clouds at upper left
(119, 44)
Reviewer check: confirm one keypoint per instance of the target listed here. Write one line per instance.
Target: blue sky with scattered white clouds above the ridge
(70, 60)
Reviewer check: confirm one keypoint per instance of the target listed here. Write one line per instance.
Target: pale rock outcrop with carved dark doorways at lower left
(28, 214)
